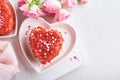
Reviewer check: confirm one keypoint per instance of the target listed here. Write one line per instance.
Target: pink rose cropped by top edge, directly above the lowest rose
(69, 3)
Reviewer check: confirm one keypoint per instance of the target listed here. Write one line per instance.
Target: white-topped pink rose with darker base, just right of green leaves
(50, 7)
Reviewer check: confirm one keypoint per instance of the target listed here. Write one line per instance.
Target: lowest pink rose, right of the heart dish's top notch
(61, 15)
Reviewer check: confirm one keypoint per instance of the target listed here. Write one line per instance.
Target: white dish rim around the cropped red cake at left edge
(14, 32)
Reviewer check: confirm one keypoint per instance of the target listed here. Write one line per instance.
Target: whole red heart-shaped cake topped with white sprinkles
(45, 43)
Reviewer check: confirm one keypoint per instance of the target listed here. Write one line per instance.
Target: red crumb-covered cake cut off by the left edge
(7, 18)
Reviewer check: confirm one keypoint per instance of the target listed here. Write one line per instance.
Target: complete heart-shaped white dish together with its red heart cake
(42, 42)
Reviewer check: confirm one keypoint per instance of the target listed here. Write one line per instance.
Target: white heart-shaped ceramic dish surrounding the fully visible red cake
(66, 30)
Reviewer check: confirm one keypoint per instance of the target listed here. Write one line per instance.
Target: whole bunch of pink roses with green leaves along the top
(56, 9)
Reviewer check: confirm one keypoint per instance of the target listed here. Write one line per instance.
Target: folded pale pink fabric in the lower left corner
(8, 61)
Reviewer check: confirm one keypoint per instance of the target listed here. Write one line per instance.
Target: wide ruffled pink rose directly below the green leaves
(33, 11)
